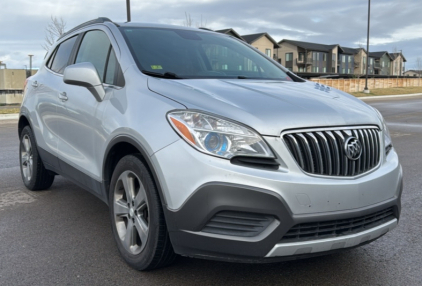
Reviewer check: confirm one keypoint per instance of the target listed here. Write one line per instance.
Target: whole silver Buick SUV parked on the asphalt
(203, 146)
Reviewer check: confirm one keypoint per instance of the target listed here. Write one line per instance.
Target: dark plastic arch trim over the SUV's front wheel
(119, 147)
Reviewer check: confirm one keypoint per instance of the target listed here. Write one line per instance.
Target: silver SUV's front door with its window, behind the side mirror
(81, 131)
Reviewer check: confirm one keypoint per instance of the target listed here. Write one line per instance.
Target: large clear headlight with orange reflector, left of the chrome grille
(218, 137)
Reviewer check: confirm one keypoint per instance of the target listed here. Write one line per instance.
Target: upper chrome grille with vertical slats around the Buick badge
(322, 152)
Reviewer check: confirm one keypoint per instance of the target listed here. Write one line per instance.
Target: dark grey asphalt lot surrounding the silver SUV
(62, 236)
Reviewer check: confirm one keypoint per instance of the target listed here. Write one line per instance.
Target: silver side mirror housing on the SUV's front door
(85, 74)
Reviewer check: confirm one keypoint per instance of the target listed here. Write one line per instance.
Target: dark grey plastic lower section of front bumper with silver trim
(186, 226)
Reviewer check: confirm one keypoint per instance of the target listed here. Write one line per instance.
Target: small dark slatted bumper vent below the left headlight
(238, 223)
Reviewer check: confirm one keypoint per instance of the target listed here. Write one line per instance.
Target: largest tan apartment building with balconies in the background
(304, 57)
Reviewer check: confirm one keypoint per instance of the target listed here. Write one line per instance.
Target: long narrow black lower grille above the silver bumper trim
(335, 228)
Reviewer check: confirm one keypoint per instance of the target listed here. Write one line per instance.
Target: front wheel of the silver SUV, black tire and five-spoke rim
(138, 223)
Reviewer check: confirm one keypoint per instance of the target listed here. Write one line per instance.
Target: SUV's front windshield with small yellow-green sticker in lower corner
(176, 53)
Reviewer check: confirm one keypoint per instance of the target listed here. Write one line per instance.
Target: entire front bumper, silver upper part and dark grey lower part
(196, 187)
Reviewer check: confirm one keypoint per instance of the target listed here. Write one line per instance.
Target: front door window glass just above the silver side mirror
(94, 49)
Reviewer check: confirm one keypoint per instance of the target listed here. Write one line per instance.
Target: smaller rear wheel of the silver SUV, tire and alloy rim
(34, 175)
